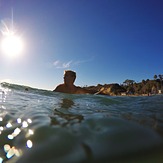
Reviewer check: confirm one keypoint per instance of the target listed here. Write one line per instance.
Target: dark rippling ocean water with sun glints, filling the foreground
(45, 126)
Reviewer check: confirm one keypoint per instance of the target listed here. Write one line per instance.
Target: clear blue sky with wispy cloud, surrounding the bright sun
(104, 41)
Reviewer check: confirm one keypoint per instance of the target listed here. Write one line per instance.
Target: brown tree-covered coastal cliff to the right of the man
(130, 87)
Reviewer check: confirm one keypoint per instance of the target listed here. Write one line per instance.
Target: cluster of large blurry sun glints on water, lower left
(12, 151)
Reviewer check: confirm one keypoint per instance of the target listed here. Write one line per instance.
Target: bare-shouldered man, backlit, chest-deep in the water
(68, 85)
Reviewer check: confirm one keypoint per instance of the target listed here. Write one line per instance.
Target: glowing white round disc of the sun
(12, 46)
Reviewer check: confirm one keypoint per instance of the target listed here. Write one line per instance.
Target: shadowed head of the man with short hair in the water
(69, 77)
